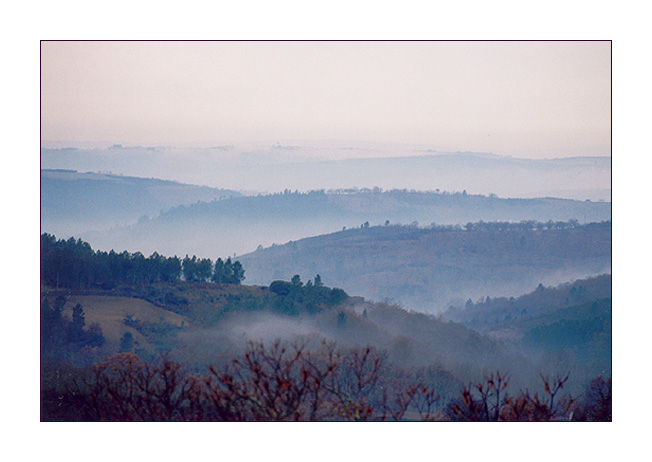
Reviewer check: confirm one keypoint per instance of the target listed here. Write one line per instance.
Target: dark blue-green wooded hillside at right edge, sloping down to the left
(569, 323)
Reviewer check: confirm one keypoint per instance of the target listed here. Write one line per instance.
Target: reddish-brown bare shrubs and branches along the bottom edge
(294, 383)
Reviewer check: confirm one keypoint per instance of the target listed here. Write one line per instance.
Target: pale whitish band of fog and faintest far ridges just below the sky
(309, 165)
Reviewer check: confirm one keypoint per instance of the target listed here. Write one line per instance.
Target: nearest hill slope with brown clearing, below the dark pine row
(209, 320)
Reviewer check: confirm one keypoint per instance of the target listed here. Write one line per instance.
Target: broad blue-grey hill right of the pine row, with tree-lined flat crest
(431, 268)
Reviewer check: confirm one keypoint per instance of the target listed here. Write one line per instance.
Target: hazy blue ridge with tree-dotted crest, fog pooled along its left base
(244, 223)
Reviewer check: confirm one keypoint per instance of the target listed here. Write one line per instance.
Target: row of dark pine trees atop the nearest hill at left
(73, 264)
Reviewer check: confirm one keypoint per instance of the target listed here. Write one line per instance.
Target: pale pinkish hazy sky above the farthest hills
(527, 99)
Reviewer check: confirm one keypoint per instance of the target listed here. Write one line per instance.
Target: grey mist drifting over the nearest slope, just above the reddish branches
(404, 339)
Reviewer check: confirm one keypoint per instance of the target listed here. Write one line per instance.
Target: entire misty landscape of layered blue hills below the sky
(167, 301)
